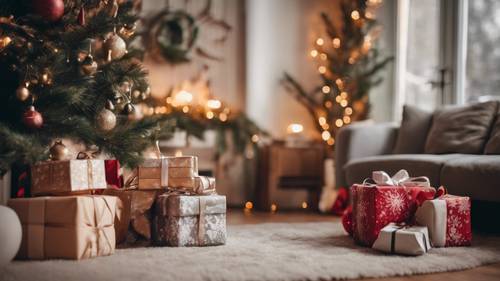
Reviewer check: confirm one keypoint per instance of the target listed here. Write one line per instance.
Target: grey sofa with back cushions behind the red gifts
(457, 147)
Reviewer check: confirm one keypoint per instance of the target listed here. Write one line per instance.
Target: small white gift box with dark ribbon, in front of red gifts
(402, 239)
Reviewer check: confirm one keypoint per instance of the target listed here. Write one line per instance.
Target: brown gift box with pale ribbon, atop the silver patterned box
(156, 173)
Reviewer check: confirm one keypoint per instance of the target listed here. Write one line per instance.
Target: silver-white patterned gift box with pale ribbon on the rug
(179, 223)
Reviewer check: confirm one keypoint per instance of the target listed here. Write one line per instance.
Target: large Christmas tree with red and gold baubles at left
(67, 71)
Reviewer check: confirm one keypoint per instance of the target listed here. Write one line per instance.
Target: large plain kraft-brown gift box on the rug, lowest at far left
(66, 227)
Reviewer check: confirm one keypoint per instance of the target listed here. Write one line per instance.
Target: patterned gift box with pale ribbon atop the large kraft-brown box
(64, 177)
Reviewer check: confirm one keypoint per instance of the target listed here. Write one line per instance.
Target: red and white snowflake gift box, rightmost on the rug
(448, 219)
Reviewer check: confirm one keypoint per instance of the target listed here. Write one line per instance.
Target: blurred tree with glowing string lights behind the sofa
(348, 63)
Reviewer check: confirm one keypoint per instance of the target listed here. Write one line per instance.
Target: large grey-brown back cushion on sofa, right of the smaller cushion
(461, 129)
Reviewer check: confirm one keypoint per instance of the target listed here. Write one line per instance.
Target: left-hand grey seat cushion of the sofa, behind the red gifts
(416, 164)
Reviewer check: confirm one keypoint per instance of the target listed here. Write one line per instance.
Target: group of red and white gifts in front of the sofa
(403, 215)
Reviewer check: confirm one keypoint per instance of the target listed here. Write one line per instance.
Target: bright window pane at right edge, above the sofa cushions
(483, 51)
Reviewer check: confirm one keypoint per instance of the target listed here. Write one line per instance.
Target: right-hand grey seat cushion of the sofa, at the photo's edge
(477, 176)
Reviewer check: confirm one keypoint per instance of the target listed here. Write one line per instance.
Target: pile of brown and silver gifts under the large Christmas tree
(78, 214)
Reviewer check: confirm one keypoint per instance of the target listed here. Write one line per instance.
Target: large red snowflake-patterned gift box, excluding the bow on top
(376, 206)
